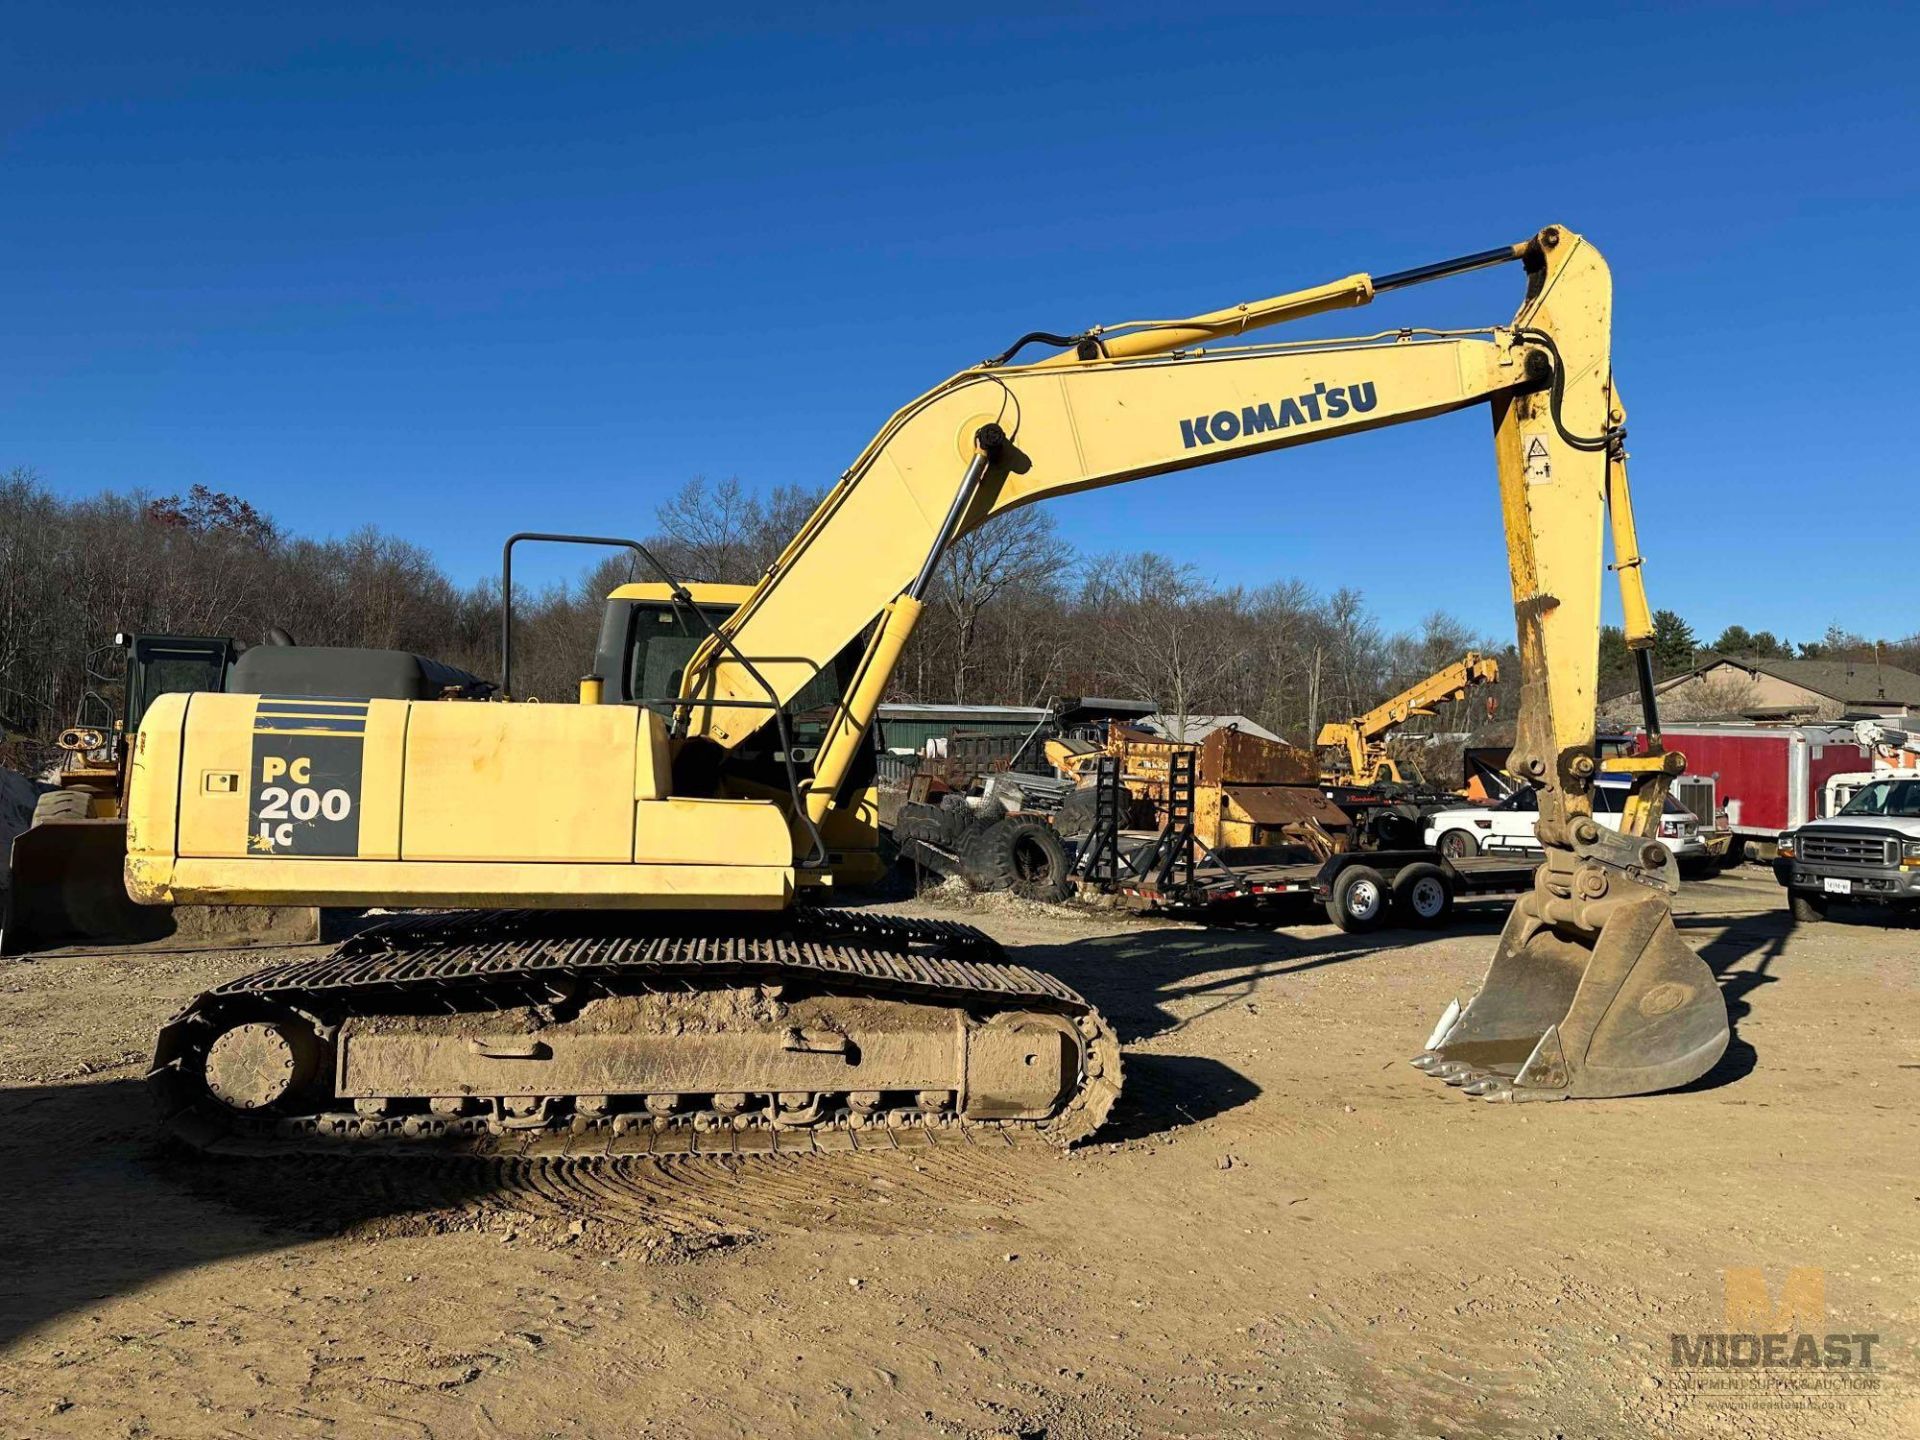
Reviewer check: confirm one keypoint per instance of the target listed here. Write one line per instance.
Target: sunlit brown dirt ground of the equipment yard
(1285, 1230)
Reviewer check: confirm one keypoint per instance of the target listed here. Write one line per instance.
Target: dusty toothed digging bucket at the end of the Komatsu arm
(1572, 1015)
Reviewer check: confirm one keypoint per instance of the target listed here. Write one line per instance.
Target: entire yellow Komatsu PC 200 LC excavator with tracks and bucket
(617, 961)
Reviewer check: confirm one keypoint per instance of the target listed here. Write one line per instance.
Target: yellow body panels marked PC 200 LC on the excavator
(247, 800)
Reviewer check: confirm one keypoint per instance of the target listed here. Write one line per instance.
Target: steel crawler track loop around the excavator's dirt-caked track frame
(491, 963)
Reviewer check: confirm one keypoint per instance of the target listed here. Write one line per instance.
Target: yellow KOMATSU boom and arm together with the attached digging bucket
(1591, 992)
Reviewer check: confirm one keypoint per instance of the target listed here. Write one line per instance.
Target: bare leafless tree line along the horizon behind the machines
(1017, 615)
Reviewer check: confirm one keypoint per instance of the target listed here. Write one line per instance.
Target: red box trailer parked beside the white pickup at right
(1765, 779)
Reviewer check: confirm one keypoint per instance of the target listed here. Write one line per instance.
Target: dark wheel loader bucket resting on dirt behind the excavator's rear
(66, 890)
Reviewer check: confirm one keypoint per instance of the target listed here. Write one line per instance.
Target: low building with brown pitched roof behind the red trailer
(1739, 688)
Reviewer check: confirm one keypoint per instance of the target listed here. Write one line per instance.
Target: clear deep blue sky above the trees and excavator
(469, 270)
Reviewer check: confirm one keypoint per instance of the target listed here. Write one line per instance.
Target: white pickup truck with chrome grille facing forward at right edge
(1869, 852)
